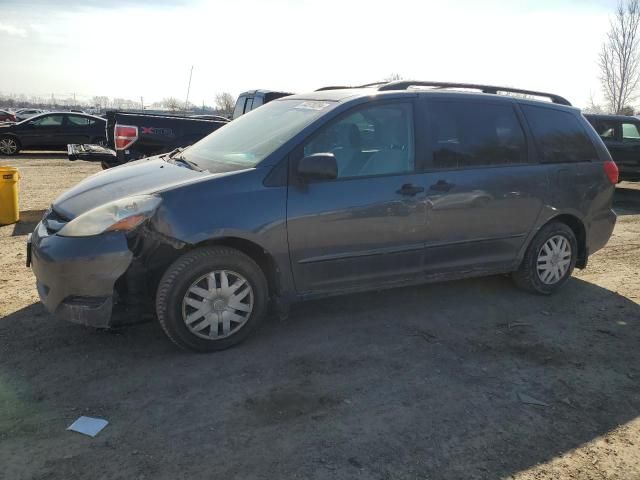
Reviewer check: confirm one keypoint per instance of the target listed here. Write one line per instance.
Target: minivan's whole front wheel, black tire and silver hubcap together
(211, 299)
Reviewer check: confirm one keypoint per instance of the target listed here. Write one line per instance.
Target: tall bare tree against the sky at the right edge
(620, 56)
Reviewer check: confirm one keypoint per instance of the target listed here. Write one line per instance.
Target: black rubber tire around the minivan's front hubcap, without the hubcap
(187, 269)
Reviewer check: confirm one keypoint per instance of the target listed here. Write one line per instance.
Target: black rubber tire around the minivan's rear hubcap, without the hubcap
(527, 276)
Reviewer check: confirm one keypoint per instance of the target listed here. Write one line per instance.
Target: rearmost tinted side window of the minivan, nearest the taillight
(559, 135)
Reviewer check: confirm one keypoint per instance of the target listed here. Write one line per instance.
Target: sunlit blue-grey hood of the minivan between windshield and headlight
(140, 177)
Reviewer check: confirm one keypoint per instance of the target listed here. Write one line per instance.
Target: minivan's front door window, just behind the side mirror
(376, 140)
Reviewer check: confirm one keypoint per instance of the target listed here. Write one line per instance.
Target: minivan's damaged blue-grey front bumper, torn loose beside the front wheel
(76, 275)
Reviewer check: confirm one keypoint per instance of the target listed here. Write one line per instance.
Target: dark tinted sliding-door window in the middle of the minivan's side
(472, 134)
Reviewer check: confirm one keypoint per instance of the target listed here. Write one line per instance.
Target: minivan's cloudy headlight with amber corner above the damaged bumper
(121, 215)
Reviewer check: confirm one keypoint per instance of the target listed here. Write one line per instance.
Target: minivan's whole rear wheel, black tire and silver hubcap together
(549, 259)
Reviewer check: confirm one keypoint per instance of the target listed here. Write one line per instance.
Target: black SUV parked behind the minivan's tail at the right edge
(621, 135)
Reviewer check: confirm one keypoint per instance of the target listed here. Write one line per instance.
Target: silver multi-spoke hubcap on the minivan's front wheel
(217, 304)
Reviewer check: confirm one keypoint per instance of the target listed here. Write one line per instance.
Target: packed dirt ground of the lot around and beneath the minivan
(428, 382)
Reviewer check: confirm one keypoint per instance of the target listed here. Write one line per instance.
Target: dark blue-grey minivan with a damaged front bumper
(331, 192)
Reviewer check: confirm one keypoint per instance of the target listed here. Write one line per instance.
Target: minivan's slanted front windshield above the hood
(246, 141)
